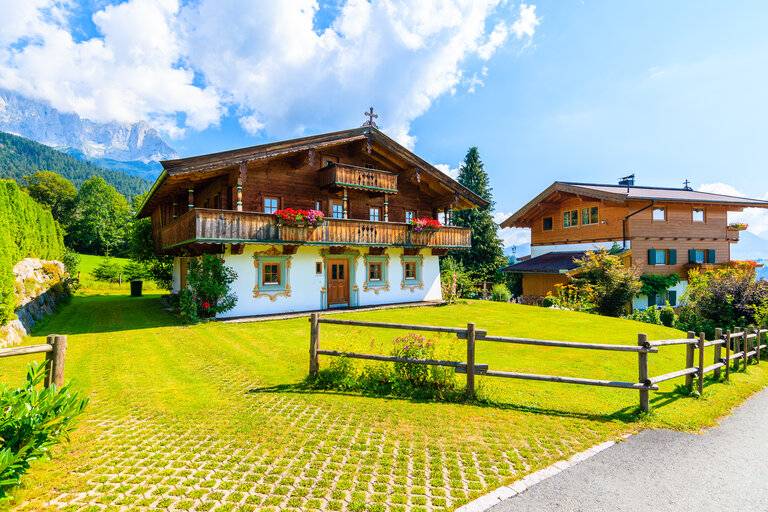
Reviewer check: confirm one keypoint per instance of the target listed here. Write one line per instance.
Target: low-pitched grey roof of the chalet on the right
(622, 193)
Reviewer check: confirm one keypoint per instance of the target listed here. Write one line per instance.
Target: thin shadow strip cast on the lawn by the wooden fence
(629, 414)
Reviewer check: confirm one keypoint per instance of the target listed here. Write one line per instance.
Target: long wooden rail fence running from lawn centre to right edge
(739, 346)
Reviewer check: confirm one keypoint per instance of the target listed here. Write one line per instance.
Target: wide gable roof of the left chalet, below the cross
(191, 166)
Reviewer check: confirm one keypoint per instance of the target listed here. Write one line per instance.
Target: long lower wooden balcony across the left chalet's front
(201, 225)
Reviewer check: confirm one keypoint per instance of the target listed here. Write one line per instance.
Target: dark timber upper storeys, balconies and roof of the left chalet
(367, 185)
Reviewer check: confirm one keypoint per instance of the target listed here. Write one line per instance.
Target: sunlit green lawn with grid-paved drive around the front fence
(208, 417)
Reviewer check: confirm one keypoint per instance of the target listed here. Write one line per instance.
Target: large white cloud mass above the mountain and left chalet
(180, 66)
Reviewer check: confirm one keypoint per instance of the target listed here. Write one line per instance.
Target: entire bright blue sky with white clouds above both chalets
(549, 90)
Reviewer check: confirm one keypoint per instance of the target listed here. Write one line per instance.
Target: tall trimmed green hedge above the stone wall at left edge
(27, 229)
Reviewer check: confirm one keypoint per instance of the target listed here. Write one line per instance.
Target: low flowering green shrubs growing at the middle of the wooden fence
(399, 379)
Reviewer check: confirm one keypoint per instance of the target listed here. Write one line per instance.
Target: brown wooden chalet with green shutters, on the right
(658, 230)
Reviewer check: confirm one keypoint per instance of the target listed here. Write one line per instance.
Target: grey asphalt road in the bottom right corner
(723, 469)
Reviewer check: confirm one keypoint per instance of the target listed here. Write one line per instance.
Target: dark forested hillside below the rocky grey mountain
(20, 157)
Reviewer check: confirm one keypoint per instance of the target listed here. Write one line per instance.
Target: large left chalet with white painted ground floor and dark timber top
(366, 251)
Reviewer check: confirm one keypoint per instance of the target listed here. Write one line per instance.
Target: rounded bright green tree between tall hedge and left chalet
(101, 219)
